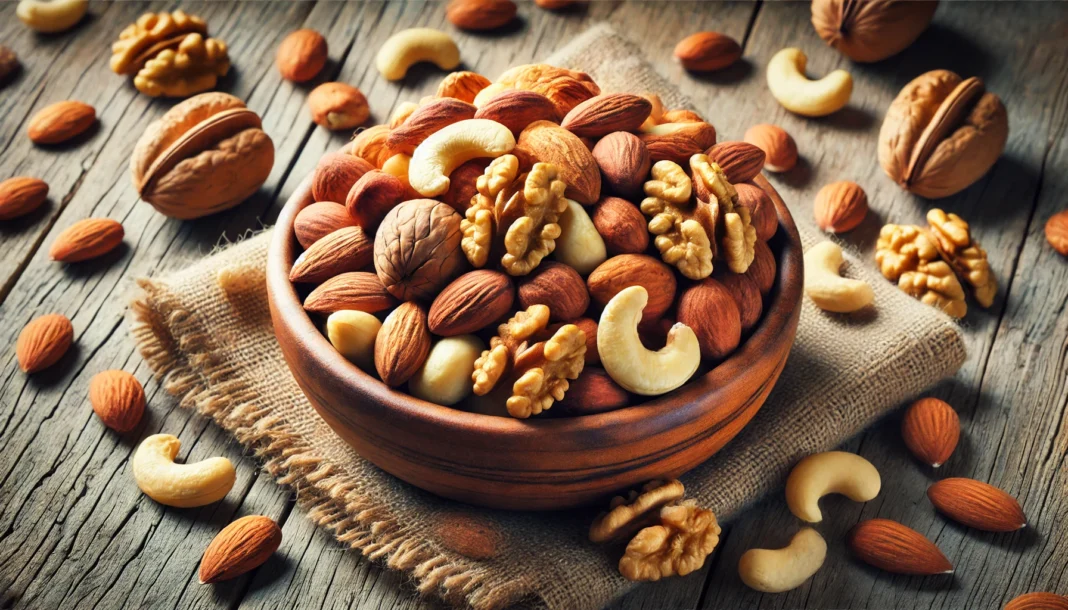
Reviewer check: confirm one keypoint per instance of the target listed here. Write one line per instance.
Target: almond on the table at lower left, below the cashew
(242, 546)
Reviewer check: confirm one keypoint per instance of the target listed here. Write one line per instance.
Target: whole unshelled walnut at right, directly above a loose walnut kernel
(941, 134)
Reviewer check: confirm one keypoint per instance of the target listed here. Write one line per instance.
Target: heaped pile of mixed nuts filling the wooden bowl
(533, 243)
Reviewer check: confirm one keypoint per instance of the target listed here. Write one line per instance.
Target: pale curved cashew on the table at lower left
(183, 486)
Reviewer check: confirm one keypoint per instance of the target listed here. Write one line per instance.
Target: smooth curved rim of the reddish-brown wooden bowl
(686, 404)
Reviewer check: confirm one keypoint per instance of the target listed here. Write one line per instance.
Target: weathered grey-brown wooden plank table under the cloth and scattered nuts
(75, 533)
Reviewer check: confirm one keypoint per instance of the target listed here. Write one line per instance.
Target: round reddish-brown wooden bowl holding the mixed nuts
(540, 464)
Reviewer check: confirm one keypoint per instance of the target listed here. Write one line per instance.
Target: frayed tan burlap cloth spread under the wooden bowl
(217, 353)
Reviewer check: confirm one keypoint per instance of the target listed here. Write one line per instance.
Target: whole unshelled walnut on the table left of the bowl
(206, 155)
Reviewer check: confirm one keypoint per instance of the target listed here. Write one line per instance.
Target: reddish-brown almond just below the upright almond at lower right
(978, 505)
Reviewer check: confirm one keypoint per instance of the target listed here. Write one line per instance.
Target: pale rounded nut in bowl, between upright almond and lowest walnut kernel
(446, 377)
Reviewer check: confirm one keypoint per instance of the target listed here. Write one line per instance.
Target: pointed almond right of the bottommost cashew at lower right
(893, 548)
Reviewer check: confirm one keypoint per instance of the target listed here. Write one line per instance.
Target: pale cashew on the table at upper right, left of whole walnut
(796, 93)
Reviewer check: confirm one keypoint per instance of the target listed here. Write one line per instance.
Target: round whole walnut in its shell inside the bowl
(418, 249)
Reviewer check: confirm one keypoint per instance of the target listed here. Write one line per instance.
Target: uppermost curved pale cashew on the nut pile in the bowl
(453, 146)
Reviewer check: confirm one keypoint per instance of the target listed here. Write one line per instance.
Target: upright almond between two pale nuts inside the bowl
(402, 346)
